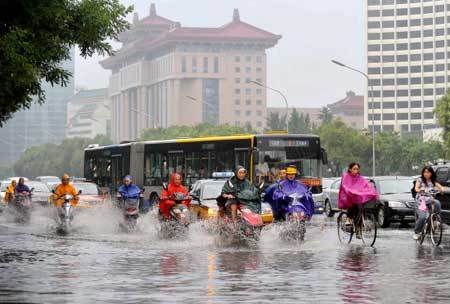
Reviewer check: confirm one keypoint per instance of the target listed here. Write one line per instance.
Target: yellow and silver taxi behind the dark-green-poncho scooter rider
(204, 205)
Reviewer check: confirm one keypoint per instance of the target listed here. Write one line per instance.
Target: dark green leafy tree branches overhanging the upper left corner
(36, 36)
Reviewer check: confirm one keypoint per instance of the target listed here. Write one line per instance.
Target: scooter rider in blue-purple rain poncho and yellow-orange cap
(291, 186)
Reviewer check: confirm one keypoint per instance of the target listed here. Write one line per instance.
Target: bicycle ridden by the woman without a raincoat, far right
(433, 224)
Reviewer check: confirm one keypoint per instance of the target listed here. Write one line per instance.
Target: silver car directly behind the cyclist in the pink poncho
(396, 203)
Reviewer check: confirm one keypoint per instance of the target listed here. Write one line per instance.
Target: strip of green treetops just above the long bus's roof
(199, 130)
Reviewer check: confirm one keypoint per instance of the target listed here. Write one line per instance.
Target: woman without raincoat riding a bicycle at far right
(425, 183)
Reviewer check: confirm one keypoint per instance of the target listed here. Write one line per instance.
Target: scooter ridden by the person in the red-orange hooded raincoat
(177, 226)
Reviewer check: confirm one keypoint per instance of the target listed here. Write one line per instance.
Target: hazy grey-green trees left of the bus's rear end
(52, 159)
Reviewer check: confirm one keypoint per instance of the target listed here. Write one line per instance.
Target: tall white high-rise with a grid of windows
(408, 62)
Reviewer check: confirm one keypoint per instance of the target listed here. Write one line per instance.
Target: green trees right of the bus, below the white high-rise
(395, 154)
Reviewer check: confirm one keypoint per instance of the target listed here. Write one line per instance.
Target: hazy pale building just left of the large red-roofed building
(89, 114)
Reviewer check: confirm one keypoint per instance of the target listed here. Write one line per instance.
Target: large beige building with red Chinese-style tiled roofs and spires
(166, 75)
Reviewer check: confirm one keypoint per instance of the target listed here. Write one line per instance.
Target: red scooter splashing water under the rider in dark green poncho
(249, 223)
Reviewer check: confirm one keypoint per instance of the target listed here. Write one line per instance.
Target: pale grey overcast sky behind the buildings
(314, 32)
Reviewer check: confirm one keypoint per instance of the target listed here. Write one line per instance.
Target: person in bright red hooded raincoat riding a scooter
(166, 199)
